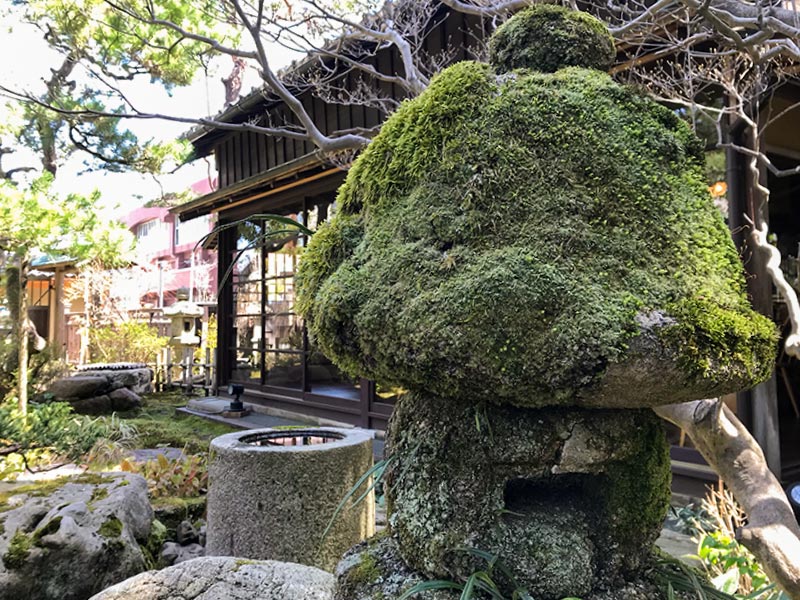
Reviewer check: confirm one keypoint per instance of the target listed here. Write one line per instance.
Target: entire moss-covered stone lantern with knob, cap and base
(530, 250)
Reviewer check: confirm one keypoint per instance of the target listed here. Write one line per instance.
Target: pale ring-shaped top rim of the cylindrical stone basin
(343, 437)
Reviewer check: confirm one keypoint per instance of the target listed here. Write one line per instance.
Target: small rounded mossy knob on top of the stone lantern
(547, 38)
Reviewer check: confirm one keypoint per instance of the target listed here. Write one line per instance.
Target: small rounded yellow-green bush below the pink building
(128, 341)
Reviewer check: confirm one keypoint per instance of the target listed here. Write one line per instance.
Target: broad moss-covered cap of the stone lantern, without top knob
(535, 239)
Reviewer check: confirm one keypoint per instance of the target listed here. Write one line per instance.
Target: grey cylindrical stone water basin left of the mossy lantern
(273, 492)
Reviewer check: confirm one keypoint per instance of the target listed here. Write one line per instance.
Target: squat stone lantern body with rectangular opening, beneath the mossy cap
(568, 499)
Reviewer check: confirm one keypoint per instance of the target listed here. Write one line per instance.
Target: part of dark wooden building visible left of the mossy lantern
(262, 342)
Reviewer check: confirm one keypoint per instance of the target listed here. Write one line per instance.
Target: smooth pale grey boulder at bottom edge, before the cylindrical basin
(226, 578)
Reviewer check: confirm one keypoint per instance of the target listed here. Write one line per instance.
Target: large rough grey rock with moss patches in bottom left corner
(70, 538)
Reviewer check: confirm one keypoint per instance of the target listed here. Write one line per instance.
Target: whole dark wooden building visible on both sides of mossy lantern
(262, 342)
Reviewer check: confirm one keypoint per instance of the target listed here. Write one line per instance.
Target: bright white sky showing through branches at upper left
(121, 192)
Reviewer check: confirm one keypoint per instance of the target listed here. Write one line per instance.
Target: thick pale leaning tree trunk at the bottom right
(771, 533)
